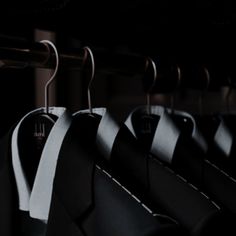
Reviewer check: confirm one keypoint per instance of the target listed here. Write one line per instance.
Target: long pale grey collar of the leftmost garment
(37, 201)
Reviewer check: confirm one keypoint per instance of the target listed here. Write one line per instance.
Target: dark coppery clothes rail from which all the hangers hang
(21, 54)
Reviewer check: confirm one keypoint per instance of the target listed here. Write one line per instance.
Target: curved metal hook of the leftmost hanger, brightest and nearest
(46, 88)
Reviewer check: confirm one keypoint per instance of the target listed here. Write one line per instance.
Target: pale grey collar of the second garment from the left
(107, 131)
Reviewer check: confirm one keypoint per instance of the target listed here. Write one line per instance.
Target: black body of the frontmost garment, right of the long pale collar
(86, 201)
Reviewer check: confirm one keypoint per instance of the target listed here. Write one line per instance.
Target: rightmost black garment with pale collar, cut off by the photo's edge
(220, 131)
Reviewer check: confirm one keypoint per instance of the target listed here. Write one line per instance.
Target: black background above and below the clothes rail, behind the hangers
(187, 32)
